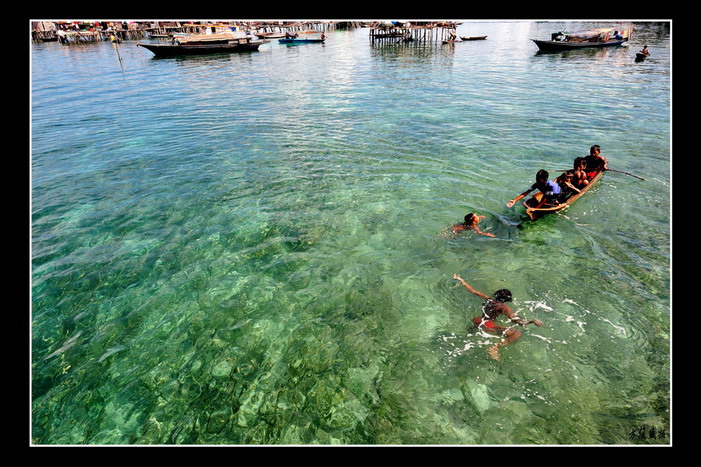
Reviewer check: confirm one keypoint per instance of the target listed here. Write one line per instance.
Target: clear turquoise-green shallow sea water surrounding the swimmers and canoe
(247, 248)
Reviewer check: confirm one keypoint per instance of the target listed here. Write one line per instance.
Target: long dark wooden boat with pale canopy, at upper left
(206, 44)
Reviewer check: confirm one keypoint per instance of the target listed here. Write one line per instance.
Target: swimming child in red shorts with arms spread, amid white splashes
(494, 307)
